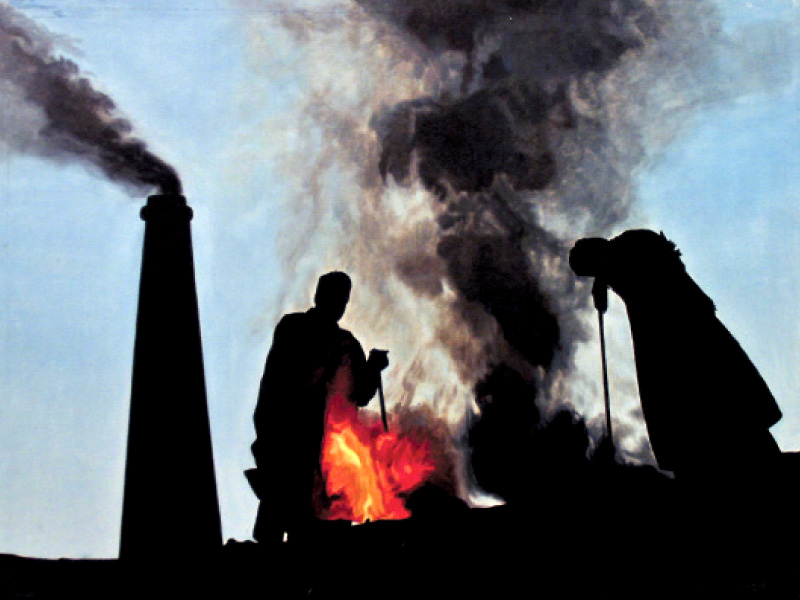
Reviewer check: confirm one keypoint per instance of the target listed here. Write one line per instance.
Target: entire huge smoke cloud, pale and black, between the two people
(452, 152)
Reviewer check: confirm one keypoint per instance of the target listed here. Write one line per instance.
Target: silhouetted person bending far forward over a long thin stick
(707, 409)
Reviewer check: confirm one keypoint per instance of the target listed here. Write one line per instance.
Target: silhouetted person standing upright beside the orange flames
(307, 350)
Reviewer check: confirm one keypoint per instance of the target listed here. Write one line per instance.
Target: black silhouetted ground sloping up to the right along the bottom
(632, 536)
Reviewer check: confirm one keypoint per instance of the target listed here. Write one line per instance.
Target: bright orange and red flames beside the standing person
(367, 470)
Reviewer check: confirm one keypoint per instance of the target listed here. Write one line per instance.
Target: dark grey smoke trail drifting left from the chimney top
(52, 111)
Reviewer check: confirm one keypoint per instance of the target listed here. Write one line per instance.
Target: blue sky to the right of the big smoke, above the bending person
(726, 190)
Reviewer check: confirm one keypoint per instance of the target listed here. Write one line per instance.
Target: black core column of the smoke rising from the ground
(486, 152)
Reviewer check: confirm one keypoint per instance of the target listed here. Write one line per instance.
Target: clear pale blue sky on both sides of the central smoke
(725, 190)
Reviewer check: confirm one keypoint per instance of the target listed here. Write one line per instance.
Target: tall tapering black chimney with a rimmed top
(170, 503)
